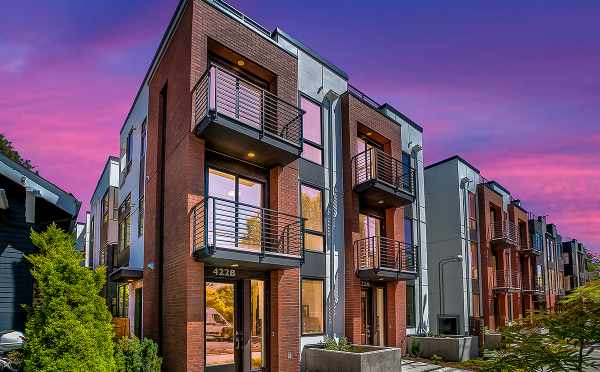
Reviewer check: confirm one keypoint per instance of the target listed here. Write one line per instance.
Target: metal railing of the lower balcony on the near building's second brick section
(381, 253)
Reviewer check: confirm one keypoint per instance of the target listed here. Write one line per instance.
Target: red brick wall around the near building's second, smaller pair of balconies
(354, 112)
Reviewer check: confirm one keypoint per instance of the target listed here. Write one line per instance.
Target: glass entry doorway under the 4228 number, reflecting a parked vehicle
(235, 323)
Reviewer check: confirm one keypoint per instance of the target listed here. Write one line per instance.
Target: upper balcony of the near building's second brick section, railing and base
(382, 181)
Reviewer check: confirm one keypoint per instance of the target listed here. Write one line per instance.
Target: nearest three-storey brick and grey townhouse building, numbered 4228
(264, 202)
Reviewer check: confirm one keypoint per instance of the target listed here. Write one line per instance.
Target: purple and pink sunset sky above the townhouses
(512, 86)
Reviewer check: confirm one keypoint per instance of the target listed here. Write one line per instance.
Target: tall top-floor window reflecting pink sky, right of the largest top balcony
(312, 131)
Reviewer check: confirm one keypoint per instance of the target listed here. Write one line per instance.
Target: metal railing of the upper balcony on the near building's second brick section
(374, 164)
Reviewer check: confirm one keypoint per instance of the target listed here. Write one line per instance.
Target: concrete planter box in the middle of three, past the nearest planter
(451, 349)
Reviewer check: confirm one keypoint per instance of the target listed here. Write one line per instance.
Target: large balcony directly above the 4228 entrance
(226, 233)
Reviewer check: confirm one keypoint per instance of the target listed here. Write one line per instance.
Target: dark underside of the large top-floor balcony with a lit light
(232, 137)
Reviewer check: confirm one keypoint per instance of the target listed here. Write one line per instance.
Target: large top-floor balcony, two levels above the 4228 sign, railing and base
(240, 119)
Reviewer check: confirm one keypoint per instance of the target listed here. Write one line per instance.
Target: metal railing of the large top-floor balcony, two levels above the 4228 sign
(221, 92)
